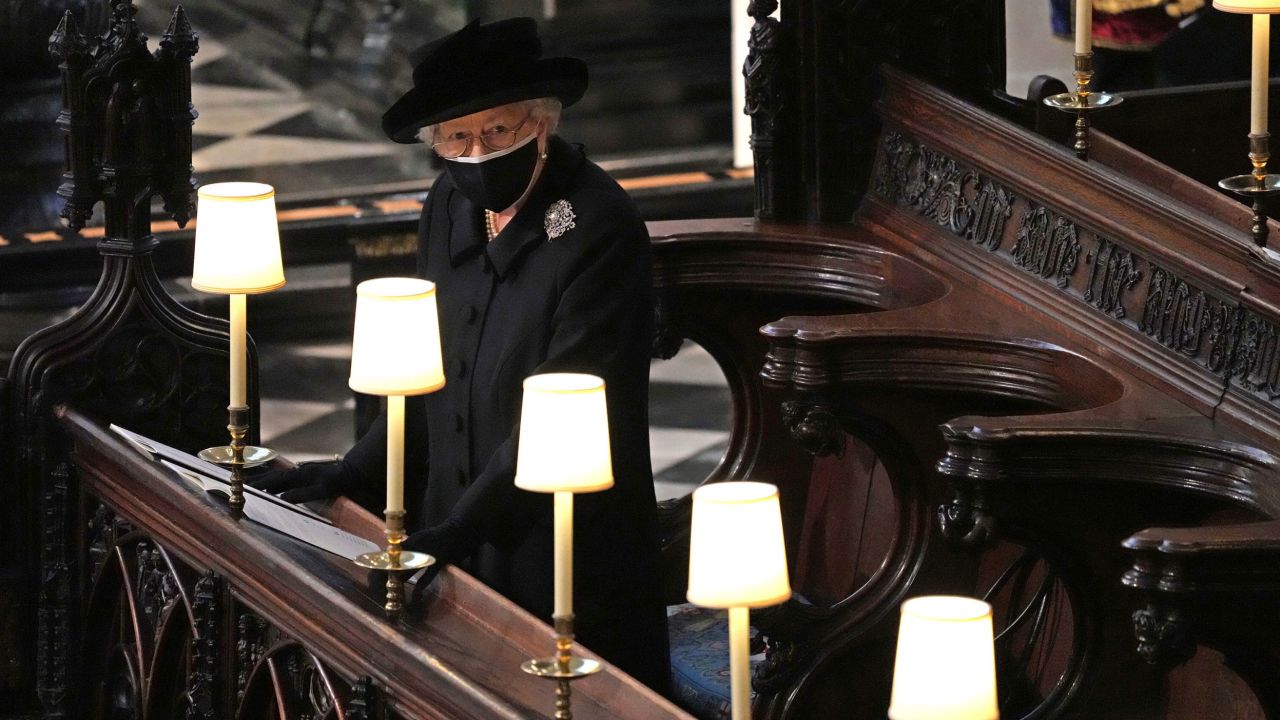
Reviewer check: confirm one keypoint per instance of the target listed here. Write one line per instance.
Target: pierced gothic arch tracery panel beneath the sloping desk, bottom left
(158, 642)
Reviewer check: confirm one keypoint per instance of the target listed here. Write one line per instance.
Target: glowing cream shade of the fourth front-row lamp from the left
(737, 553)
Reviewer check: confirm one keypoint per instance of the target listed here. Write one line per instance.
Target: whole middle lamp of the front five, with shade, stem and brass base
(564, 450)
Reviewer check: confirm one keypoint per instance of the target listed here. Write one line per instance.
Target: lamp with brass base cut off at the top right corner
(1259, 185)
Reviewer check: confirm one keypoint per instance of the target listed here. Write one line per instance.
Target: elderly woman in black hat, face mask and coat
(542, 265)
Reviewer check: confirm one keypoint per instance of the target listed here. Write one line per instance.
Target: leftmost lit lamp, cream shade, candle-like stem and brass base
(237, 254)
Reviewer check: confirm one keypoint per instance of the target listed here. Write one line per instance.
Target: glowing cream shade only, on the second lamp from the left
(396, 345)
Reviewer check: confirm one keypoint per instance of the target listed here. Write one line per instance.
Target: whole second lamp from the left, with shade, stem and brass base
(396, 353)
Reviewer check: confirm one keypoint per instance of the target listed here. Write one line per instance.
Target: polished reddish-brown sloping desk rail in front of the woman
(456, 654)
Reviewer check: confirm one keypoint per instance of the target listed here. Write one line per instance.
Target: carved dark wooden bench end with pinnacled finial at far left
(130, 354)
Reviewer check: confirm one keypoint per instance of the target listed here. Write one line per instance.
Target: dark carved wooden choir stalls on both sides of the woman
(973, 364)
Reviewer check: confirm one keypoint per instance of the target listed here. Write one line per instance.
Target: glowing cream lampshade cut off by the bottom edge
(945, 668)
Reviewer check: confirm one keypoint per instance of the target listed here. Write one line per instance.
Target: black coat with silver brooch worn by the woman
(524, 304)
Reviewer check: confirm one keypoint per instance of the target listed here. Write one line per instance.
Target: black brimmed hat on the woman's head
(477, 69)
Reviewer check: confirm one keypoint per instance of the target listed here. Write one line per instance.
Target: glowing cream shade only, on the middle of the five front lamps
(564, 435)
